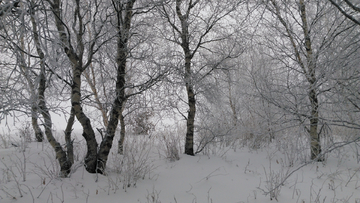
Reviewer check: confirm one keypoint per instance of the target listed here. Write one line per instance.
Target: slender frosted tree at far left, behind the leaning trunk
(15, 35)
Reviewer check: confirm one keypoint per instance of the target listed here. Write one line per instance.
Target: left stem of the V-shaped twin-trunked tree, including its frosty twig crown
(80, 51)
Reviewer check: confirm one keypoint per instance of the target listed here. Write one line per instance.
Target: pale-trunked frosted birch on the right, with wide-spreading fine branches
(302, 33)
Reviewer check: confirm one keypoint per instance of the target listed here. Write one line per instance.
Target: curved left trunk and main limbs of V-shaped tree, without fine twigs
(78, 67)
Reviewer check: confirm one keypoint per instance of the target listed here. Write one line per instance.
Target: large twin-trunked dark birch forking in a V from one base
(81, 44)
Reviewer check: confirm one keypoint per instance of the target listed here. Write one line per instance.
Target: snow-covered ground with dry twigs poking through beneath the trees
(225, 174)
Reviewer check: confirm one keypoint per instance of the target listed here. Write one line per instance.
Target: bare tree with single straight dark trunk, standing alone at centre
(192, 25)
